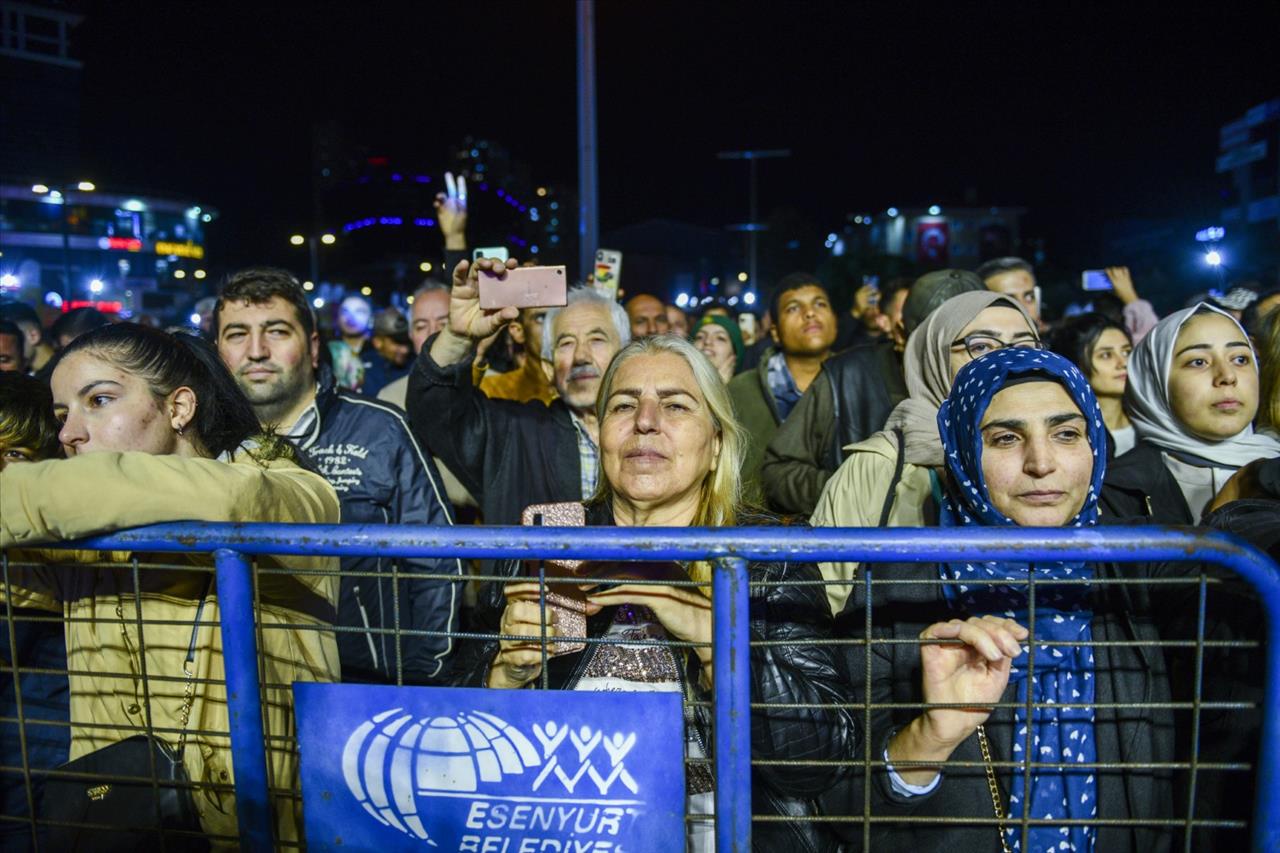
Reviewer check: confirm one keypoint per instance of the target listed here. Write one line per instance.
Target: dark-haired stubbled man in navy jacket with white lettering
(267, 336)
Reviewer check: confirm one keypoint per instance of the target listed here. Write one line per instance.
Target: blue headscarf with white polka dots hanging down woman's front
(1059, 737)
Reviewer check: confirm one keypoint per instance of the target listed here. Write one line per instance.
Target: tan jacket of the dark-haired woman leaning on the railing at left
(52, 501)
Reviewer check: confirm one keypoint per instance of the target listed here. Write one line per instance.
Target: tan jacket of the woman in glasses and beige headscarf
(854, 498)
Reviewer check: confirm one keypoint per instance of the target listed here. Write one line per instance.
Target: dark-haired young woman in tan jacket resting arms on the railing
(157, 431)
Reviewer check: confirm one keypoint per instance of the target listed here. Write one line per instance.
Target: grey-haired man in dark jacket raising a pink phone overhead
(511, 455)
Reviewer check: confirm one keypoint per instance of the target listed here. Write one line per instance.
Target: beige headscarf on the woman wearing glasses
(927, 367)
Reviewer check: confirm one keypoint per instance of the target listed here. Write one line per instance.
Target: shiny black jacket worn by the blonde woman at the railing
(803, 673)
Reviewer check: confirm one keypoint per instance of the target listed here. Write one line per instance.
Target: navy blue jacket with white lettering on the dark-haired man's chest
(364, 448)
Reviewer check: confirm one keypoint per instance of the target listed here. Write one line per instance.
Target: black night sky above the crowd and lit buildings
(1082, 116)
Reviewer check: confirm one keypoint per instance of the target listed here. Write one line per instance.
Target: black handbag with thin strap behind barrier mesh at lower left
(126, 795)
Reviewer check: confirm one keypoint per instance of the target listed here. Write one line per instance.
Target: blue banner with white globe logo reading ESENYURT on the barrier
(491, 772)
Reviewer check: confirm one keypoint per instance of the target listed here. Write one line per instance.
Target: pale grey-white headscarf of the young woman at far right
(1146, 399)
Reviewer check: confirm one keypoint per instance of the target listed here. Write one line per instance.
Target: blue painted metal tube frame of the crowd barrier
(729, 550)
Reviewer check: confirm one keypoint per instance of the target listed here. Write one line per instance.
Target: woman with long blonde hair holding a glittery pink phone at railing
(670, 453)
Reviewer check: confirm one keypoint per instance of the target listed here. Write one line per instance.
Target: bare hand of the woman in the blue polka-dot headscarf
(972, 673)
